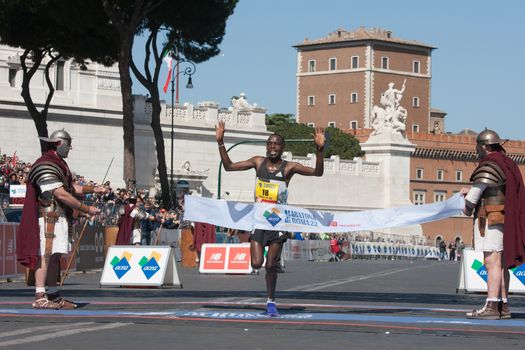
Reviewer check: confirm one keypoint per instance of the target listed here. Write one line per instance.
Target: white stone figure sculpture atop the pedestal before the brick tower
(391, 117)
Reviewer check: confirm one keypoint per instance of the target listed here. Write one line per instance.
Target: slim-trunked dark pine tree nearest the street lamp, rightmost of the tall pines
(194, 29)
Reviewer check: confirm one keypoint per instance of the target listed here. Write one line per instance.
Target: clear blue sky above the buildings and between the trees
(477, 73)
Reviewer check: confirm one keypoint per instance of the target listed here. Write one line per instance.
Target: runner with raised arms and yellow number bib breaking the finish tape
(273, 174)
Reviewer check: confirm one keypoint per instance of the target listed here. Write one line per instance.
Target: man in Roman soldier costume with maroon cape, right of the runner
(497, 199)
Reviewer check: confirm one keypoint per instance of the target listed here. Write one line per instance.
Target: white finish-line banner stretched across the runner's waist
(277, 217)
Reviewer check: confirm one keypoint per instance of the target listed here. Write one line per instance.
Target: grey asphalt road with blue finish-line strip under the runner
(361, 304)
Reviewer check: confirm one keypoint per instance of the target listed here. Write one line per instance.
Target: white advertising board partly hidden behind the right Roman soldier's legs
(473, 274)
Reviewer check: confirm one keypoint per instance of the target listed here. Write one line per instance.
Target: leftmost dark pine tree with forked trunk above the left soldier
(49, 31)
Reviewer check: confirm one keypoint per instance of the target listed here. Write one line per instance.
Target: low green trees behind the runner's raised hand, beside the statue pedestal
(338, 143)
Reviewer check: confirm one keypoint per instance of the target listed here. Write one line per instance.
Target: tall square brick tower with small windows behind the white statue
(342, 76)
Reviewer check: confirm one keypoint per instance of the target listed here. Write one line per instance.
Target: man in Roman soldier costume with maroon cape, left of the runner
(44, 228)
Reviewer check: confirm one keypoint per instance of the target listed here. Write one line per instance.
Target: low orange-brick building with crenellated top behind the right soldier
(440, 166)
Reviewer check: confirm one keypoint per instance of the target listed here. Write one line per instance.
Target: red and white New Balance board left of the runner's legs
(225, 258)
